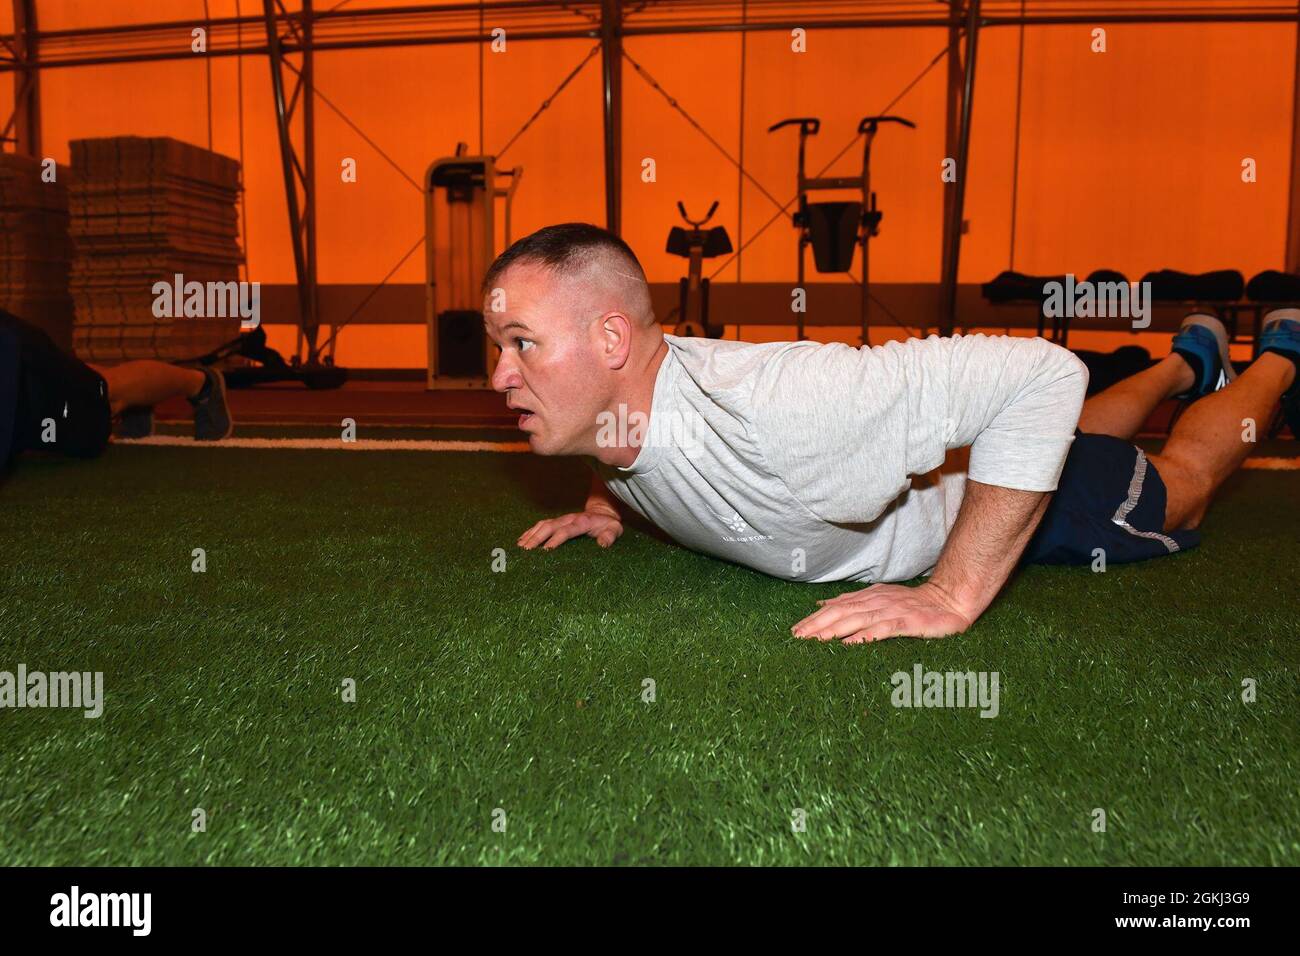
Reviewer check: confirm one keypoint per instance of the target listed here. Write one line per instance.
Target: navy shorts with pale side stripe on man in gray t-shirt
(1111, 498)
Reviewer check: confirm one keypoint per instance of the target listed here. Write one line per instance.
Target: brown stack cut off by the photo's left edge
(34, 246)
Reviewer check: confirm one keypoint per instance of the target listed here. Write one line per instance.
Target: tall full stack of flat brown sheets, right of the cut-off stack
(145, 213)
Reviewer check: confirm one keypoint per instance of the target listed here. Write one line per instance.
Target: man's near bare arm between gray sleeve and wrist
(993, 530)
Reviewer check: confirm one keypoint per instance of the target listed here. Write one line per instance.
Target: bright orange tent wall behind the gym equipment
(1129, 159)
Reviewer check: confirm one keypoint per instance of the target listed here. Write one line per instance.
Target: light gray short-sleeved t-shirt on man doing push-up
(825, 462)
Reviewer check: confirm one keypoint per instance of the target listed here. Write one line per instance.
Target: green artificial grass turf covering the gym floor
(523, 690)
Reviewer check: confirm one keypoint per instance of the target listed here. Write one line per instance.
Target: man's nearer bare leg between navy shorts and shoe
(1208, 444)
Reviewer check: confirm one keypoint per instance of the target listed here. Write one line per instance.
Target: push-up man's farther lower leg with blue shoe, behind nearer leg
(1198, 366)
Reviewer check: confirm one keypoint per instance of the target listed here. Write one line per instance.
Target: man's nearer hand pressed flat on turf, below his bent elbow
(886, 611)
